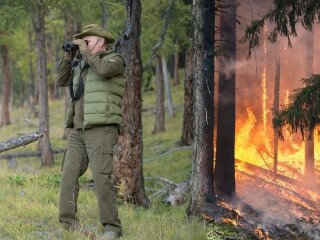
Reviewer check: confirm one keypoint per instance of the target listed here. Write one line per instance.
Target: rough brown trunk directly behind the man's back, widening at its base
(129, 150)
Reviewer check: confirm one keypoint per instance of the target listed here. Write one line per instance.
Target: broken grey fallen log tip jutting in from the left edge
(21, 141)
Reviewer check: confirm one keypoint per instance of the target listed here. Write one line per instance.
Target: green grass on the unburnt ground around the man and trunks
(29, 193)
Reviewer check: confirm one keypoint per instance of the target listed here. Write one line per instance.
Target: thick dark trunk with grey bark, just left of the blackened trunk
(203, 199)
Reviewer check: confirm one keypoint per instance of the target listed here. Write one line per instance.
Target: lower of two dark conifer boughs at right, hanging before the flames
(304, 110)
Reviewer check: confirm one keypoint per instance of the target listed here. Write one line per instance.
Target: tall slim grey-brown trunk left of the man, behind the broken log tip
(39, 27)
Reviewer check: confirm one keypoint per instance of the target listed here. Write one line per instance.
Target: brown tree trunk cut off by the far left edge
(5, 118)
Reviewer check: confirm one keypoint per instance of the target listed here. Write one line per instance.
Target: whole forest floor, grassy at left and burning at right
(266, 208)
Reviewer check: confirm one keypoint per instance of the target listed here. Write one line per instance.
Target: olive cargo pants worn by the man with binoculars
(92, 146)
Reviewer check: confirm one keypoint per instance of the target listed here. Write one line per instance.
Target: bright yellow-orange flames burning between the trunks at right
(253, 146)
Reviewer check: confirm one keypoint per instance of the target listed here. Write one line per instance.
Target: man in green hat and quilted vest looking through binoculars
(95, 77)
